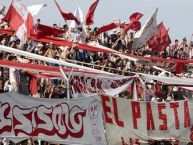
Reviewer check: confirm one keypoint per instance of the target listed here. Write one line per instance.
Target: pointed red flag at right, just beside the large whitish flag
(160, 40)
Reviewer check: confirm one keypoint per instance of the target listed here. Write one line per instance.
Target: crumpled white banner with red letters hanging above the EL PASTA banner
(84, 84)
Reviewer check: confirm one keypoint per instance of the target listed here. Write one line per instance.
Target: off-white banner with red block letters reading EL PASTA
(132, 122)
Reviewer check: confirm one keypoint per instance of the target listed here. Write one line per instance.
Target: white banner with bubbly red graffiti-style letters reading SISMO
(78, 121)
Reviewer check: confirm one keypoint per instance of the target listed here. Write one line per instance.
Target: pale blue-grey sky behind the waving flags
(177, 15)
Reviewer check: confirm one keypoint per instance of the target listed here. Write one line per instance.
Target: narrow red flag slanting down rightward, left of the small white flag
(67, 16)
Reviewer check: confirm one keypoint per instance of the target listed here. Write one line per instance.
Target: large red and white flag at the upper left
(20, 20)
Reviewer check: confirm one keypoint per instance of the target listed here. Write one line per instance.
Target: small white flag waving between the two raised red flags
(80, 16)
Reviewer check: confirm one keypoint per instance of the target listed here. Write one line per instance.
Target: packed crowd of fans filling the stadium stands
(17, 80)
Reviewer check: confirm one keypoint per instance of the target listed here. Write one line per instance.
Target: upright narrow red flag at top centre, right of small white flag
(90, 14)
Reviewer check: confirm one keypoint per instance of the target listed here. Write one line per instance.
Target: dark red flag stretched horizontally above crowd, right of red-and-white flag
(43, 30)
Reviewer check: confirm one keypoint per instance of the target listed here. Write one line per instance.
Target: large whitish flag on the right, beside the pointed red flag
(146, 32)
